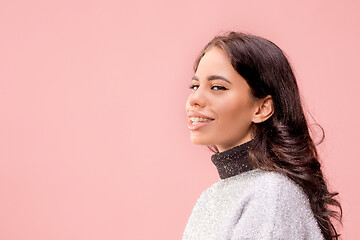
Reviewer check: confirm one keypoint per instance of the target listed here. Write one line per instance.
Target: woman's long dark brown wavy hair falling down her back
(282, 143)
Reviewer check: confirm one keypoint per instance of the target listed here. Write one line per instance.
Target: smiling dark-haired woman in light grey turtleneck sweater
(245, 105)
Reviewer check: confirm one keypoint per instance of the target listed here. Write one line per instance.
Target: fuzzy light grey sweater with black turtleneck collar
(248, 203)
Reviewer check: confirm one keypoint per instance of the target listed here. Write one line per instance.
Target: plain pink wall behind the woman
(93, 135)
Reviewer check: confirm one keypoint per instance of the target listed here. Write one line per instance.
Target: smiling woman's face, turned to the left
(220, 107)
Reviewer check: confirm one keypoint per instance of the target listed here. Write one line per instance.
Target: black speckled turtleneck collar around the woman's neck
(233, 161)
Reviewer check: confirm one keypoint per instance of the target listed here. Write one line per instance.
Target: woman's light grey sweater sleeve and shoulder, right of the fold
(277, 208)
